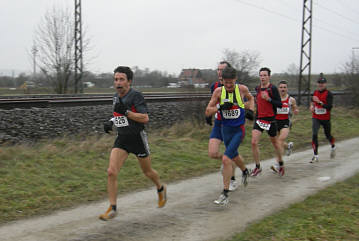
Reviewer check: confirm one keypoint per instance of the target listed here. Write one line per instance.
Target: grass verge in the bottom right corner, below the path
(331, 214)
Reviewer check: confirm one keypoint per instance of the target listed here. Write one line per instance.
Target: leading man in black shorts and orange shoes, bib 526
(129, 116)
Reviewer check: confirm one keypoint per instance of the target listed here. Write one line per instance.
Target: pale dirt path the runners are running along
(190, 213)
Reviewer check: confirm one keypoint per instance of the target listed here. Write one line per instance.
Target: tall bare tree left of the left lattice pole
(54, 39)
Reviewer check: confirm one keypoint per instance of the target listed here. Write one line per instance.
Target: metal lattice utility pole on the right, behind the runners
(305, 52)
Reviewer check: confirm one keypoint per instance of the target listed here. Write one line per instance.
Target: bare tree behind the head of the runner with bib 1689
(246, 62)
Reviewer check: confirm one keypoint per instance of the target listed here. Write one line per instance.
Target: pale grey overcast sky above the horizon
(169, 35)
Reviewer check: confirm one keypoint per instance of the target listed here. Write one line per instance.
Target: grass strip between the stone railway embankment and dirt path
(54, 174)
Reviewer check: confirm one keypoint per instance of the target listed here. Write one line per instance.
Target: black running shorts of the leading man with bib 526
(134, 143)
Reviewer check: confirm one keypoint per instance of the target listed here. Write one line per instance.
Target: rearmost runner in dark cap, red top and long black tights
(322, 103)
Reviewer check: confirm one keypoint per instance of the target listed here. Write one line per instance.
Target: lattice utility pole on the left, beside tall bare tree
(78, 48)
